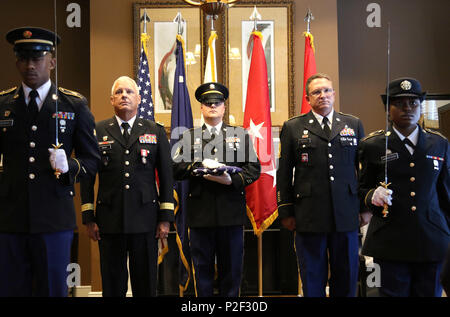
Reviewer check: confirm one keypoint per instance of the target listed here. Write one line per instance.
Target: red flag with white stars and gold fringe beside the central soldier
(261, 195)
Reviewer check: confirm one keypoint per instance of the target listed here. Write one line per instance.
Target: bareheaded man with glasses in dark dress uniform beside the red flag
(321, 204)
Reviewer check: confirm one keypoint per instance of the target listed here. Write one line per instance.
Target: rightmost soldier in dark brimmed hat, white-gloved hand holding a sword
(409, 242)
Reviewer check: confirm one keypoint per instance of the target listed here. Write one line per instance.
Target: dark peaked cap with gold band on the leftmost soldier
(32, 41)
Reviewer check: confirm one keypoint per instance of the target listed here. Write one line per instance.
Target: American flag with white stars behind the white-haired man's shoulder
(145, 110)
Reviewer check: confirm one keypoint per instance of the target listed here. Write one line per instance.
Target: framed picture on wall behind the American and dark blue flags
(162, 31)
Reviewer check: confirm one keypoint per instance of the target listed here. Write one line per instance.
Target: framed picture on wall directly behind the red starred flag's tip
(276, 28)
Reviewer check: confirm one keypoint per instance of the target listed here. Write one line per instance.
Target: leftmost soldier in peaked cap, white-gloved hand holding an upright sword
(37, 216)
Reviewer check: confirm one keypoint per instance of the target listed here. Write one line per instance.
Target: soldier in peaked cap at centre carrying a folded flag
(216, 207)
